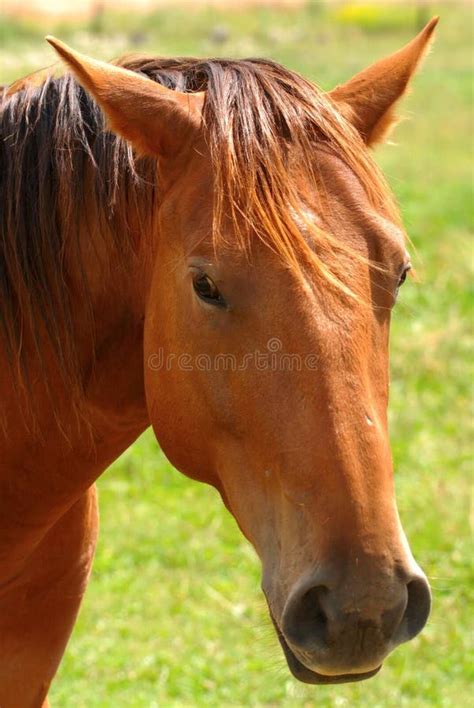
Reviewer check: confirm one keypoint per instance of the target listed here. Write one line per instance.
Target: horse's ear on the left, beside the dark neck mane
(154, 119)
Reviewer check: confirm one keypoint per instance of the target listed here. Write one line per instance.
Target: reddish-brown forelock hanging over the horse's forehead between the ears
(263, 123)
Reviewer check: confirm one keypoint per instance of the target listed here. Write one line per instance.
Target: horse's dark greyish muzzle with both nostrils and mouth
(341, 632)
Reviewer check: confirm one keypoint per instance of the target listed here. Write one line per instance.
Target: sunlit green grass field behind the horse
(174, 615)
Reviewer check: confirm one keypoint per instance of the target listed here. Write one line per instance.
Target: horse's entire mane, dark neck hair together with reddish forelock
(258, 116)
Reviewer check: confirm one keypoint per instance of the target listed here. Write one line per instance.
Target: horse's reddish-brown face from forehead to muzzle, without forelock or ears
(274, 390)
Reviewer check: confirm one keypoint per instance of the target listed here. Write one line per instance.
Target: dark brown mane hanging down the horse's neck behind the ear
(50, 135)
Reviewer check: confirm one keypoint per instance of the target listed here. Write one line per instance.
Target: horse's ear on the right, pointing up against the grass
(368, 100)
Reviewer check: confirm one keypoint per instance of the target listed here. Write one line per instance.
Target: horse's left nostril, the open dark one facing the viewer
(305, 621)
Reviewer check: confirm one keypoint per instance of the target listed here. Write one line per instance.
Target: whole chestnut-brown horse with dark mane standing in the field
(222, 266)
